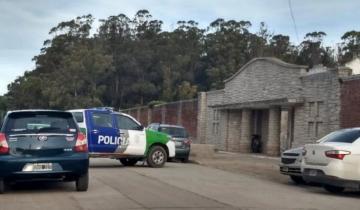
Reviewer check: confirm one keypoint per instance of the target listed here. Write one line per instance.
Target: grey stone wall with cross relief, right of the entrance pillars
(320, 113)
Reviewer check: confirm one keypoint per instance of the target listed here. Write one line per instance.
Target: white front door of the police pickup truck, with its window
(133, 135)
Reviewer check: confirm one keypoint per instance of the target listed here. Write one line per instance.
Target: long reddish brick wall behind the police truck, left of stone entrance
(177, 113)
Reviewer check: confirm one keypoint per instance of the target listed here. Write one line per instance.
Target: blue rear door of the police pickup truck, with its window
(103, 135)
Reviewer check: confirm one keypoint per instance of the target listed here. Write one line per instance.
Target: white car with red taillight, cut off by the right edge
(335, 161)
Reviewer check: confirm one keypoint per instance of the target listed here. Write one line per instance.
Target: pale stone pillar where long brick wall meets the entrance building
(201, 118)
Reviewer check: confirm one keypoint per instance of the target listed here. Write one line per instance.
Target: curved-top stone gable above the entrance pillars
(264, 79)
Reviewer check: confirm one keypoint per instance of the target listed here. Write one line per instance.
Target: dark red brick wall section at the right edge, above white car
(350, 101)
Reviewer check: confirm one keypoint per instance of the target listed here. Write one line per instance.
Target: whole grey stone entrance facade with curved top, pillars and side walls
(316, 111)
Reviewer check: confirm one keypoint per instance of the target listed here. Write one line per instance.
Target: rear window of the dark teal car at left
(40, 122)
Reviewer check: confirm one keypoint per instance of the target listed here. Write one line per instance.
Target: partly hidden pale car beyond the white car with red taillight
(291, 164)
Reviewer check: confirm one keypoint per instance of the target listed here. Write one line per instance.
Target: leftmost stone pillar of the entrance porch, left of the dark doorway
(245, 135)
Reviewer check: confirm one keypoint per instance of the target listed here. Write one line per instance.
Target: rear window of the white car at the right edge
(345, 136)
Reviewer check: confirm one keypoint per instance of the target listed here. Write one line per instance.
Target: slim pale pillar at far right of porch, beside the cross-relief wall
(284, 129)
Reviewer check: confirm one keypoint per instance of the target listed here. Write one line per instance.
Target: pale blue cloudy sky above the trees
(24, 24)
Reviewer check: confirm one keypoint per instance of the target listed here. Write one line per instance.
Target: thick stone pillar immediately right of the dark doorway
(273, 142)
